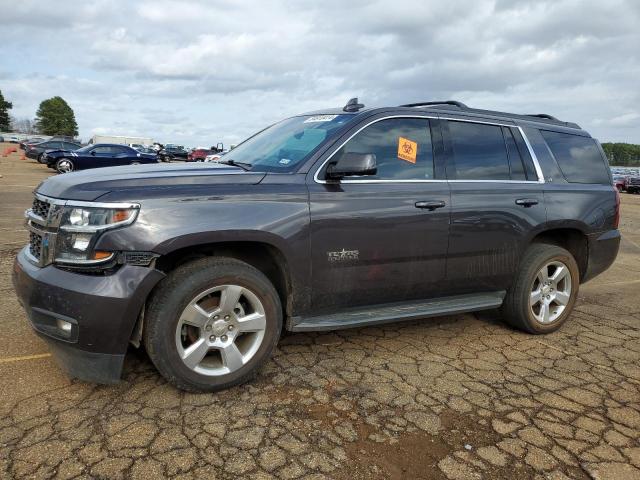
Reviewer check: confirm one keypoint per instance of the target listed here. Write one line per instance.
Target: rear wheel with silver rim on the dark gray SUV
(518, 308)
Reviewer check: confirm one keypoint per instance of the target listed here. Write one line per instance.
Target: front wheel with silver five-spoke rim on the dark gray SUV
(168, 336)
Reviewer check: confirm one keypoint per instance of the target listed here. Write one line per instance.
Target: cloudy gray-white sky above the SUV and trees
(199, 72)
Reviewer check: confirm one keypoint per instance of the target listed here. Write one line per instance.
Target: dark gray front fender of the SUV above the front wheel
(261, 213)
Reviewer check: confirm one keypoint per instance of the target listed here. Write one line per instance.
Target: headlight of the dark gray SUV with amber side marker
(80, 228)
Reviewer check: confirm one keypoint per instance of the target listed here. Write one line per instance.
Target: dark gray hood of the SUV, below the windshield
(88, 185)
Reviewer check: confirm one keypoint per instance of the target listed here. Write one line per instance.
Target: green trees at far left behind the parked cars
(54, 117)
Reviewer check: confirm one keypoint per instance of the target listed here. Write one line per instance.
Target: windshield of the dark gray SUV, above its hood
(286, 144)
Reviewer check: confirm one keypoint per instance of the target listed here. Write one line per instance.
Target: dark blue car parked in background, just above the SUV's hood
(96, 156)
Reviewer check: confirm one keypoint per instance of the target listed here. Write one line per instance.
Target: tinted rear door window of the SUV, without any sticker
(479, 151)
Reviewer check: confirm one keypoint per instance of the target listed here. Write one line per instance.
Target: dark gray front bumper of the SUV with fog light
(88, 323)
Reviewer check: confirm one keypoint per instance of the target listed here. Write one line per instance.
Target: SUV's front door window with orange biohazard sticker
(402, 147)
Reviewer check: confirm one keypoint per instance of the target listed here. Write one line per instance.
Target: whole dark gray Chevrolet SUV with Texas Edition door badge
(332, 219)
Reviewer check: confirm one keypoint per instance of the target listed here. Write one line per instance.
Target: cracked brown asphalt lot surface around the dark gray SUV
(459, 397)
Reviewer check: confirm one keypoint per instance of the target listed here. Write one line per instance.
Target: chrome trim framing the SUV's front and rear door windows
(534, 158)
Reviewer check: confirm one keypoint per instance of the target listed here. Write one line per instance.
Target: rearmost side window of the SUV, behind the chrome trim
(579, 158)
